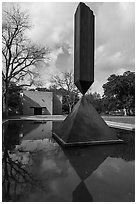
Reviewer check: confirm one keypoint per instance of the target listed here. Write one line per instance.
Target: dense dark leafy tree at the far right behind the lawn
(119, 92)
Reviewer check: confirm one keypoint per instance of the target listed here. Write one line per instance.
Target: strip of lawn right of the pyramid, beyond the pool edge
(120, 119)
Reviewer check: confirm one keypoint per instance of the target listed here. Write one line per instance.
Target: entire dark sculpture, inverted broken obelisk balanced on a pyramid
(84, 126)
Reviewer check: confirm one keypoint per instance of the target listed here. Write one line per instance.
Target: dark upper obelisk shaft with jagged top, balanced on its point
(84, 48)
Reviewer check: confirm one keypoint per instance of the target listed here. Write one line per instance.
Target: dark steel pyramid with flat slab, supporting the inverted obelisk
(84, 126)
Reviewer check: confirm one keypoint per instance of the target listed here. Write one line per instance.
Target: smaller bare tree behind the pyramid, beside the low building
(65, 83)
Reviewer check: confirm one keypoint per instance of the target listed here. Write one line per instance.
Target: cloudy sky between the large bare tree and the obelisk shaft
(53, 26)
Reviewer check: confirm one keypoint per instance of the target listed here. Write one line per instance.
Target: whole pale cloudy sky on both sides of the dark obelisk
(53, 26)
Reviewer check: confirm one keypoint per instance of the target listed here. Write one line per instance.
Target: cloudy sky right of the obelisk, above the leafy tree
(115, 40)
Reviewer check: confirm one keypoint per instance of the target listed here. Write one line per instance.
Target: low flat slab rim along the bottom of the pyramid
(89, 143)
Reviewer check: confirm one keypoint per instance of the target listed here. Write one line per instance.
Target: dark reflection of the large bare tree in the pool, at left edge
(16, 164)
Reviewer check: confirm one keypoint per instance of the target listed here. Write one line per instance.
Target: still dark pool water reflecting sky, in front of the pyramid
(36, 168)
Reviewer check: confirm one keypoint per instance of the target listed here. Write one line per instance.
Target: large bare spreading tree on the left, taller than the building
(19, 54)
